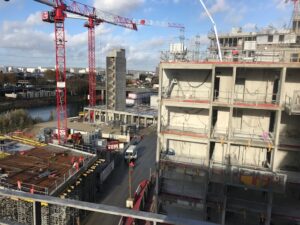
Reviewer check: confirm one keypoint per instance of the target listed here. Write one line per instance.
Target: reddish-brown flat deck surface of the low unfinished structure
(39, 167)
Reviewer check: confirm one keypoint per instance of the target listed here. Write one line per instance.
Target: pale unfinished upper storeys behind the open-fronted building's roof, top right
(262, 45)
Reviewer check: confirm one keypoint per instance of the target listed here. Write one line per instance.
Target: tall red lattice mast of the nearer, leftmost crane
(61, 90)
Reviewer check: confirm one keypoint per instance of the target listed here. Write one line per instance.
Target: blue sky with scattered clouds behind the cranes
(26, 41)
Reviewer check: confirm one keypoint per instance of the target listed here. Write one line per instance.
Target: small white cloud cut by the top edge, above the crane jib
(121, 7)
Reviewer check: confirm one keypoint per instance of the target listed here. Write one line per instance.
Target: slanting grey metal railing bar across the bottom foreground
(101, 208)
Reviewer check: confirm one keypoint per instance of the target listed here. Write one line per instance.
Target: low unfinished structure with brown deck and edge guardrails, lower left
(49, 170)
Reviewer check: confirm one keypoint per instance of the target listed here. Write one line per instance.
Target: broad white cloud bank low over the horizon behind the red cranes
(22, 45)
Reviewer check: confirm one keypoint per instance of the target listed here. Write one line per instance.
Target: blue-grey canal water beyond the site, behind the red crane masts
(46, 112)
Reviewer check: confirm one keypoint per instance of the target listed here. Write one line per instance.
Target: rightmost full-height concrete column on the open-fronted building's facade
(278, 117)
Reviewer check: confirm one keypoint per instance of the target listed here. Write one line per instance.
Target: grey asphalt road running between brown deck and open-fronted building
(115, 191)
